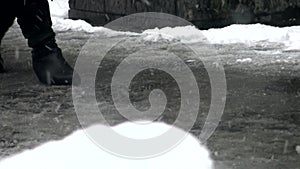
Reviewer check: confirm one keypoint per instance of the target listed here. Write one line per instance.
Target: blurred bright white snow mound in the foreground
(77, 151)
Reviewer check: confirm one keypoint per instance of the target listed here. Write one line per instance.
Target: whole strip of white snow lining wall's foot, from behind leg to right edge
(246, 34)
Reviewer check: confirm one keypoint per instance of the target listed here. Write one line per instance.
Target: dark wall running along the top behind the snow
(203, 13)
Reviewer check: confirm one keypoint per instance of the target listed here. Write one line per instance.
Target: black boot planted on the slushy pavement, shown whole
(50, 66)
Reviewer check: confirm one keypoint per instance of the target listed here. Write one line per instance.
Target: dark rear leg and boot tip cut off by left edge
(6, 20)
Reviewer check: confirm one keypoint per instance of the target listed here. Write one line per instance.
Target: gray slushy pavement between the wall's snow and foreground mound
(260, 127)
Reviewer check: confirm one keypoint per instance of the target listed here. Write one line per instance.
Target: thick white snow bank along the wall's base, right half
(247, 34)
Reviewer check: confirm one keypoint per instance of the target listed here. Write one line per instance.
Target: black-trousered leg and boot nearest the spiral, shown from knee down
(48, 62)
